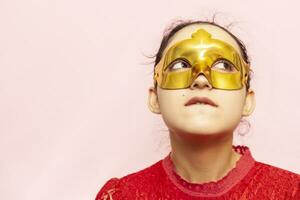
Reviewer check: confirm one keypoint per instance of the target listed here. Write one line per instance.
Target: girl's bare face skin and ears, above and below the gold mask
(200, 118)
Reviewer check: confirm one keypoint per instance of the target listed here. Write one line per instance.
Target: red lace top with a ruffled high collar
(248, 180)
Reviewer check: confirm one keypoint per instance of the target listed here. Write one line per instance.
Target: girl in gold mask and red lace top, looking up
(202, 90)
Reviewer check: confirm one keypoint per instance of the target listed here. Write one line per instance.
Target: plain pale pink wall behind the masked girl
(74, 87)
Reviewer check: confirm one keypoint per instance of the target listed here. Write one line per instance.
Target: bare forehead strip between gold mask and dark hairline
(215, 31)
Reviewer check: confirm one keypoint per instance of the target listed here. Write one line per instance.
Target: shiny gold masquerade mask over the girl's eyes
(217, 60)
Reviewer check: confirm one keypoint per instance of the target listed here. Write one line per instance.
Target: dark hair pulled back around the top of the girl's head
(170, 31)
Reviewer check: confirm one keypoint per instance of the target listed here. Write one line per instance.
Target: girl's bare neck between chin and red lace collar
(202, 158)
